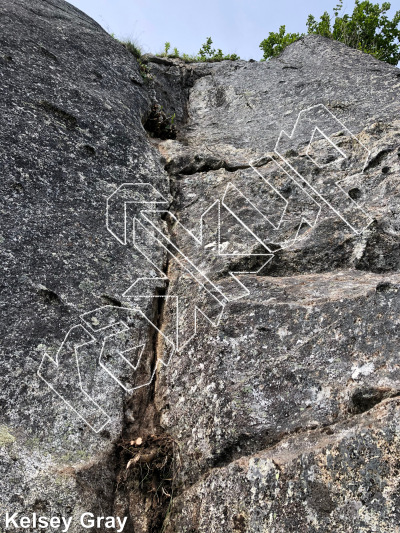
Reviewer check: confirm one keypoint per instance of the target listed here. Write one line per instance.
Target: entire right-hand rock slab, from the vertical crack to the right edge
(308, 341)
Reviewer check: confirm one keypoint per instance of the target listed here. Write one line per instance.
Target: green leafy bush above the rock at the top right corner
(368, 29)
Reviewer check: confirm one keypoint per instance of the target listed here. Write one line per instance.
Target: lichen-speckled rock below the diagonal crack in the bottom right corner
(342, 479)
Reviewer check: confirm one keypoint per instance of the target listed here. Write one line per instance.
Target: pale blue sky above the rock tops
(235, 26)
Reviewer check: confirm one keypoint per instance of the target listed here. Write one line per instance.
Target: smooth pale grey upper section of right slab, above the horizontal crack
(243, 106)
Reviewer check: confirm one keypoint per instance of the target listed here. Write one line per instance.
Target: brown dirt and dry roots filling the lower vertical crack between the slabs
(146, 455)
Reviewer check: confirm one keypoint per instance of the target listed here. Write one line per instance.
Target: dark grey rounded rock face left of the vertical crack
(72, 102)
